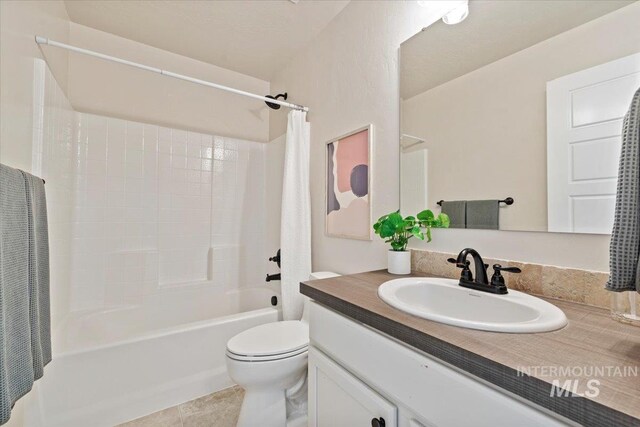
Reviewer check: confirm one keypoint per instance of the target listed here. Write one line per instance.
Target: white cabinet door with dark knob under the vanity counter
(338, 399)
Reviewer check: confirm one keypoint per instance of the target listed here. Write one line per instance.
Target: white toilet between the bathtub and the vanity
(270, 363)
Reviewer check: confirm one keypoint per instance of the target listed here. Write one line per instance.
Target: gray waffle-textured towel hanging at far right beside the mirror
(624, 251)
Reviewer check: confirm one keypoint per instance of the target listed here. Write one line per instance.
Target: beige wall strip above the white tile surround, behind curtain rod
(115, 90)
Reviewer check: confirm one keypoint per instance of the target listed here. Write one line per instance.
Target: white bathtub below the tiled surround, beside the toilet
(122, 363)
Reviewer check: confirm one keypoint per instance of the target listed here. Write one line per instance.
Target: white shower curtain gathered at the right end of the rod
(295, 231)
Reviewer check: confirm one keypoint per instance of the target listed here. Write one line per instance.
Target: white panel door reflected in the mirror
(584, 123)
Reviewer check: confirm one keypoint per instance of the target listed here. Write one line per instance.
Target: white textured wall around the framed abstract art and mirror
(349, 77)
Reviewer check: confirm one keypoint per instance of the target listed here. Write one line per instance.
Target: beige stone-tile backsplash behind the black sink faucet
(569, 284)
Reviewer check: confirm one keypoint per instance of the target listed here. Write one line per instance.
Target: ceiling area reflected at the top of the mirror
(493, 30)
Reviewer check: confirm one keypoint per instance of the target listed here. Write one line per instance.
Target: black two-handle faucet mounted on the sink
(481, 282)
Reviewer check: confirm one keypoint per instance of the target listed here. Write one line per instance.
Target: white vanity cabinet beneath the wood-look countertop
(357, 374)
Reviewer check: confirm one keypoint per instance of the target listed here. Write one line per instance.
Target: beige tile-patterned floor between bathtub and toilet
(219, 409)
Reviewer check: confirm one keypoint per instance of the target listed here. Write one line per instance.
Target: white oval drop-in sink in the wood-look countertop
(444, 301)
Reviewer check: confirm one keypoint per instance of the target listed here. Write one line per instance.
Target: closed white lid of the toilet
(271, 339)
